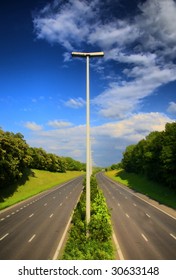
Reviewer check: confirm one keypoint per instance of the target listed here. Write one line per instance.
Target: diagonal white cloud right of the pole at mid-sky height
(119, 101)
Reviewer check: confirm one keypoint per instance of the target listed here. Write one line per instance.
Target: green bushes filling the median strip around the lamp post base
(97, 245)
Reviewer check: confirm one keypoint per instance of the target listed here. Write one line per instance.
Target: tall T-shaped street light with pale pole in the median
(87, 56)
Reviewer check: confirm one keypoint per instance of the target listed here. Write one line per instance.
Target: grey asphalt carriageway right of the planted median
(143, 231)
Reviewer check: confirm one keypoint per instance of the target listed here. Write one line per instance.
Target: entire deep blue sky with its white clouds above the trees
(42, 88)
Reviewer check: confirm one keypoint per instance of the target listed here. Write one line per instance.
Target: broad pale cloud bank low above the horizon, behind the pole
(108, 140)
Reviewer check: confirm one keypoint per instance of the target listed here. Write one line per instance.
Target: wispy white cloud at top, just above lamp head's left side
(67, 25)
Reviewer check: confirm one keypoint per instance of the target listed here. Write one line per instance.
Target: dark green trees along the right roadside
(154, 156)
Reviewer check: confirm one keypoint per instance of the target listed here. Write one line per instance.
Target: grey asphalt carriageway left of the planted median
(32, 229)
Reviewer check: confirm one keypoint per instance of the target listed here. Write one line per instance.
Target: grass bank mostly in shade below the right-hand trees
(142, 185)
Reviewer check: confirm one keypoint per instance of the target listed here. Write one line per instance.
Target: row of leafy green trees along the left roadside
(16, 156)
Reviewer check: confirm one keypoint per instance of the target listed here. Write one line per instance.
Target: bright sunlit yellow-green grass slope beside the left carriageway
(39, 181)
